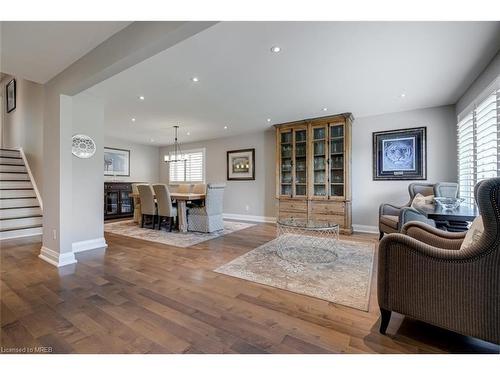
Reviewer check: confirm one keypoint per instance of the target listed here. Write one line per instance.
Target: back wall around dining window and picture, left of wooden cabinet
(258, 195)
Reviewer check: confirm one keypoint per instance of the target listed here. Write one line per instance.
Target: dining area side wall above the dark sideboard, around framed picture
(144, 161)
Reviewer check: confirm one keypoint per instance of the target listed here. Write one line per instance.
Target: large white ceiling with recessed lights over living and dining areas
(358, 67)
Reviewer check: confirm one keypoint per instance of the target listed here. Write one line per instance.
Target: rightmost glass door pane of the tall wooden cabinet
(337, 162)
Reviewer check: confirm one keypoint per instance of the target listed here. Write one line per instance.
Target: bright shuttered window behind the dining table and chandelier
(193, 170)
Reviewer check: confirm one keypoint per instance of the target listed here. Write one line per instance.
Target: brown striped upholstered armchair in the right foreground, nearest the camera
(426, 274)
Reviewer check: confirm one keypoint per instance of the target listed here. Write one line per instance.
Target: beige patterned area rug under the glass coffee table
(345, 279)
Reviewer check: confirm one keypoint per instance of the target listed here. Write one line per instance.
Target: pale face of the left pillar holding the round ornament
(87, 174)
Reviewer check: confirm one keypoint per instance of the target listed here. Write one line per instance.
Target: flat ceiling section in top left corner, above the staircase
(38, 51)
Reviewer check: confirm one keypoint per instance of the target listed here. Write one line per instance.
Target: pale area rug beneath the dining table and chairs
(130, 229)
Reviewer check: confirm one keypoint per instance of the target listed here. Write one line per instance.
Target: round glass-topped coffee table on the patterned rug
(306, 241)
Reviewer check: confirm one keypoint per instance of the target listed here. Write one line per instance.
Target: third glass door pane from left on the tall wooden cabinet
(319, 161)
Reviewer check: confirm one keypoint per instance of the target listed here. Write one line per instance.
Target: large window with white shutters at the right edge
(479, 145)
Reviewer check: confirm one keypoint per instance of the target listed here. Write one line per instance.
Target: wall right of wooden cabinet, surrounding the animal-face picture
(367, 194)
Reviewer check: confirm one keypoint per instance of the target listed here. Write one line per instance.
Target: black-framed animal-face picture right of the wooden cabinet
(400, 154)
